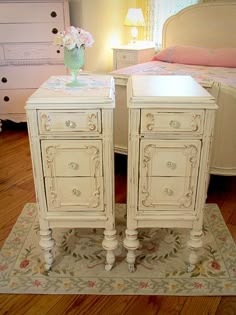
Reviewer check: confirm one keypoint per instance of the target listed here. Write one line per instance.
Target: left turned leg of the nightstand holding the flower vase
(47, 243)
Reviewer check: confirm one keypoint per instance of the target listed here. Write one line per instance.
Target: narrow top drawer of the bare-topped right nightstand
(172, 122)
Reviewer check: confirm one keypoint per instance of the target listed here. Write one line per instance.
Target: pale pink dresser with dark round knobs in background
(27, 54)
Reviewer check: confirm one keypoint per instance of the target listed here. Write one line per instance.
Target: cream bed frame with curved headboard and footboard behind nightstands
(211, 25)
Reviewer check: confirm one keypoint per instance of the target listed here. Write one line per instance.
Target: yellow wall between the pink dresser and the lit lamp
(104, 20)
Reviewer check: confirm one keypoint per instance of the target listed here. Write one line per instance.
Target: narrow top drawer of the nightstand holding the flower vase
(87, 121)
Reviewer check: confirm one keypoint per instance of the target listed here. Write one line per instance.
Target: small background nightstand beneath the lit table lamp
(128, 55)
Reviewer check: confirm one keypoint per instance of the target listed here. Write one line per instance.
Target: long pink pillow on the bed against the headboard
(217, 57)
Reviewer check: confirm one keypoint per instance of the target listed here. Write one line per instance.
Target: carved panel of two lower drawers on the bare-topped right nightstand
(168, 174)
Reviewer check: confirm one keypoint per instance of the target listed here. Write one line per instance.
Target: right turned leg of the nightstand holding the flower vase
(110, 244)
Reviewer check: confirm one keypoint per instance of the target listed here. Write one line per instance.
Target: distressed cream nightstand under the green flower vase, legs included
(71, 140)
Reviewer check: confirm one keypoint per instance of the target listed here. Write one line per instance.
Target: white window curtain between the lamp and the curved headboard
(159, 11)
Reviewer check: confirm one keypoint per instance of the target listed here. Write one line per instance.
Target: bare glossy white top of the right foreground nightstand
(167, 89)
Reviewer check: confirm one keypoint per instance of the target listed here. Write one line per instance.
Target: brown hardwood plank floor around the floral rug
(16, 189)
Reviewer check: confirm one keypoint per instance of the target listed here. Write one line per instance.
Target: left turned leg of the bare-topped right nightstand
(131, 243)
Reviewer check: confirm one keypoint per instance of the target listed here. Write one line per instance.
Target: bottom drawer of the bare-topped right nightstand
(167, 193)
